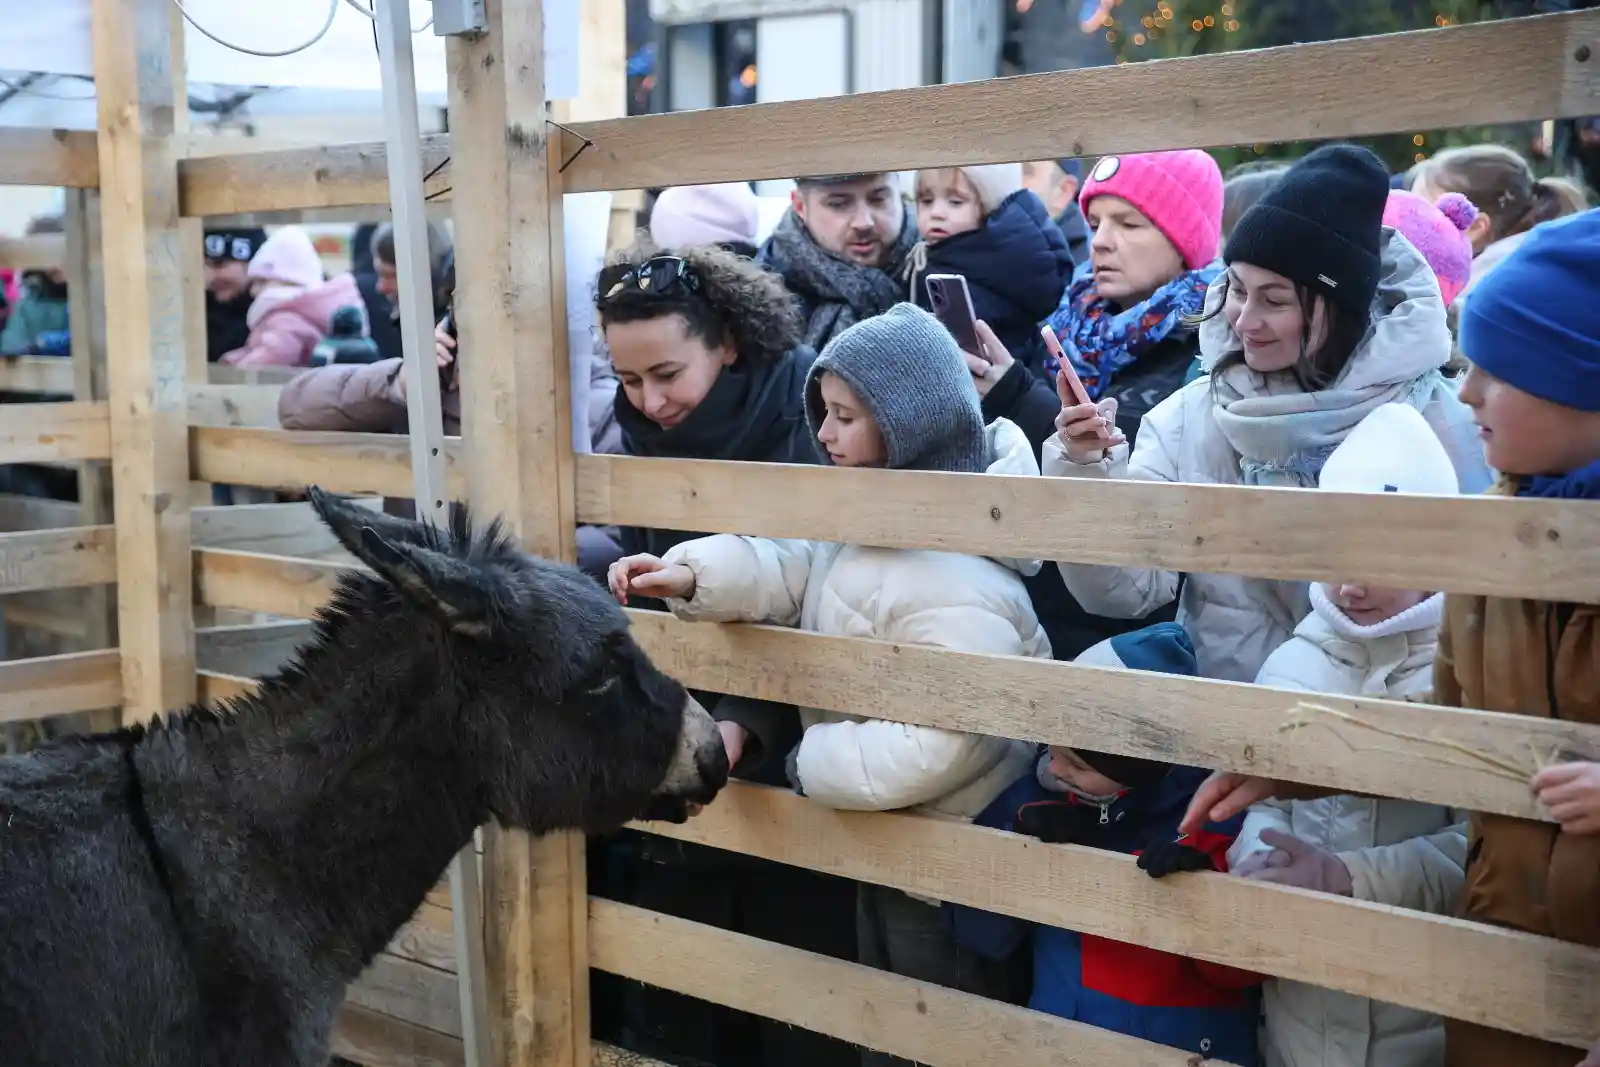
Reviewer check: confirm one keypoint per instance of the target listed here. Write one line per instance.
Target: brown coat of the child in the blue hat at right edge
(1526, 658)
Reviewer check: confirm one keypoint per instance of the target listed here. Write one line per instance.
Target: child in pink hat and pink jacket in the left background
(294, 306)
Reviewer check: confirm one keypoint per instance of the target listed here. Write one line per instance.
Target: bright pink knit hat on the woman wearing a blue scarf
(1182, 193)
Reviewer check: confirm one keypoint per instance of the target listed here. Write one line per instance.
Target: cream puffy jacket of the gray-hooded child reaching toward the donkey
(921, 597)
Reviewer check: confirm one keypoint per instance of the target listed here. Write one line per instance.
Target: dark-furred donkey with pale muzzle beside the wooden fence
(199, 893)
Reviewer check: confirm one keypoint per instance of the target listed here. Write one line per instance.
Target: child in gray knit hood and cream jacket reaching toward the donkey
(890, 393)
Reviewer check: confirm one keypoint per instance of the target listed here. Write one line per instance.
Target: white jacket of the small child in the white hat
(1399, 852)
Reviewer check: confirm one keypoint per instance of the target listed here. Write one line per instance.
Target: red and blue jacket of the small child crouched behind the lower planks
(1199, 1007)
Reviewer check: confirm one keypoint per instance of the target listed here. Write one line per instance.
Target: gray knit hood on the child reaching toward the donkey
(910, 374)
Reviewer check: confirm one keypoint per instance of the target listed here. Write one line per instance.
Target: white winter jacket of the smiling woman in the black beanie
(1238, 621)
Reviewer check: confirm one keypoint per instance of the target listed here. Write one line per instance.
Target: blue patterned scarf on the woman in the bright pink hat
(1102, 340)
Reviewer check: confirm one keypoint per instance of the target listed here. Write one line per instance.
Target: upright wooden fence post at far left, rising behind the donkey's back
(138, 89)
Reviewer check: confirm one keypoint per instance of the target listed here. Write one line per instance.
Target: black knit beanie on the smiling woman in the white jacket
(1321, 226)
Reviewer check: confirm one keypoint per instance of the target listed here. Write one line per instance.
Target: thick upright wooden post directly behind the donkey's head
(516, 423)
